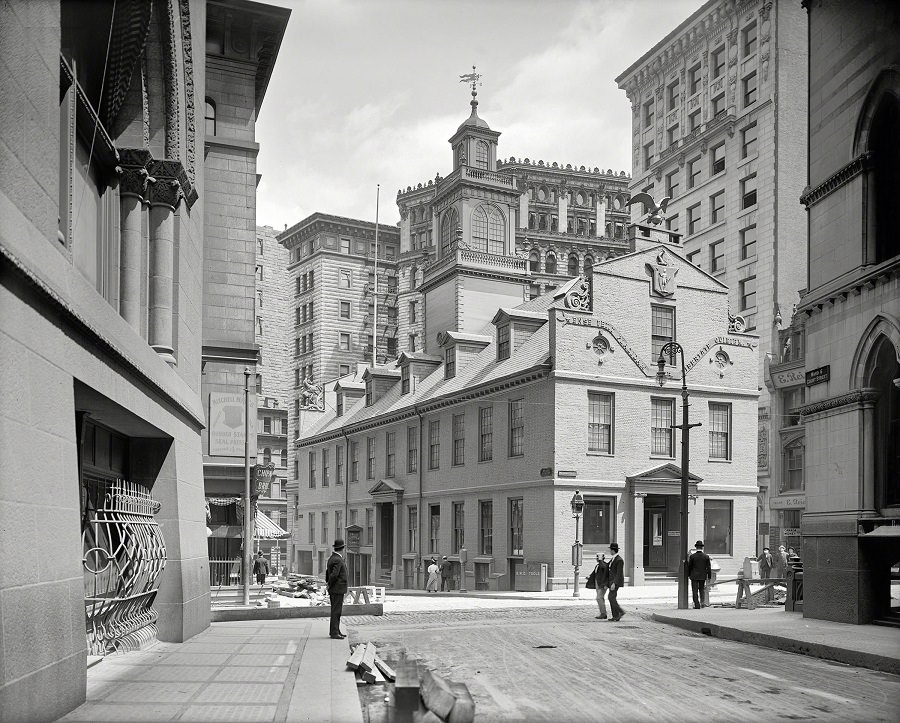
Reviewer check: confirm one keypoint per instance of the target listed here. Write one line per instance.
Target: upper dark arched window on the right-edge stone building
(886, 166)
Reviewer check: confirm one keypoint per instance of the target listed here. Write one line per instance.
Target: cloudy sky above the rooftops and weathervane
(367, 92)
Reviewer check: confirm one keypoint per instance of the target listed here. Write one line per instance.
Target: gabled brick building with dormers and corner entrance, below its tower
(475, 449)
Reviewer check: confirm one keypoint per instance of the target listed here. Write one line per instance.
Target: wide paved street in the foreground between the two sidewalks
(560, 664)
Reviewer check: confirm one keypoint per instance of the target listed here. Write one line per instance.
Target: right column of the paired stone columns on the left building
(165, 194)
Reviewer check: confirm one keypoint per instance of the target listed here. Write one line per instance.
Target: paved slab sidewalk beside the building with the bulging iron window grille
(277, 670)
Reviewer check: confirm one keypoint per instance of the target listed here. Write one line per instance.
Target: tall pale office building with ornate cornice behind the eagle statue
(718, 118)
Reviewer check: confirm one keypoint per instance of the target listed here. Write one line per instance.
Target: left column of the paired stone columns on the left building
(132, 190)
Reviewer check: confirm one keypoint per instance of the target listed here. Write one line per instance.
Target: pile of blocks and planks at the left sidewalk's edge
(414, 696)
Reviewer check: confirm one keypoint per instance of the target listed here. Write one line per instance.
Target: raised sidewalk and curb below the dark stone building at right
(865, 646)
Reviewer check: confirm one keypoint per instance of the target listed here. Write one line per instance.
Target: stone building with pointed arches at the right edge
(851, 546)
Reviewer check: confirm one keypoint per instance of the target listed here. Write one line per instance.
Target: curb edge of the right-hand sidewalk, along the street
(856, 658)
